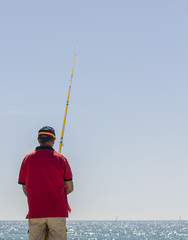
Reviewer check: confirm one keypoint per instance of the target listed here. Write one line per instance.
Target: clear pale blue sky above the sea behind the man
(126, 131)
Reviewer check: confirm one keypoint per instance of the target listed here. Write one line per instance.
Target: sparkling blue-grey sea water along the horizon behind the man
(106, 230)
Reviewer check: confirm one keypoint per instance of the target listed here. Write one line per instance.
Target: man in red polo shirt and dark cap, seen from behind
(46, 180)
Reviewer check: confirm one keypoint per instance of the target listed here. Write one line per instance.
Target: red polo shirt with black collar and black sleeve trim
(44, 172)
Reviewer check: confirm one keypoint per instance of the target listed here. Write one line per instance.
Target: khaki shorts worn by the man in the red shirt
(47, 229)
